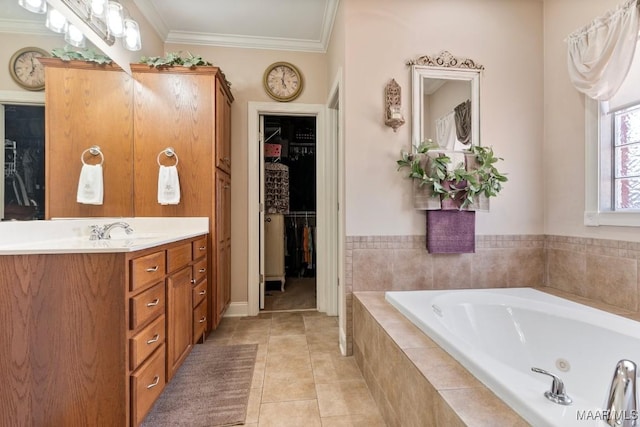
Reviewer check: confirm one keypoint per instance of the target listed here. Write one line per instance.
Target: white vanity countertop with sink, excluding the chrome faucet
(61, 236)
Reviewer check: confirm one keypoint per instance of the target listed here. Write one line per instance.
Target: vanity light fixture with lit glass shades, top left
(107, 18)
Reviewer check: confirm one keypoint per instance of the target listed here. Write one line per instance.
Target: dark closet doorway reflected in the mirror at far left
(23, 163)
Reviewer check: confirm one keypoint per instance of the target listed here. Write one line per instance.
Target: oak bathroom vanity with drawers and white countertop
(93, 330)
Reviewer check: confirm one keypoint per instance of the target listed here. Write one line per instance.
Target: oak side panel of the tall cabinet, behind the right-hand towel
(174, 109)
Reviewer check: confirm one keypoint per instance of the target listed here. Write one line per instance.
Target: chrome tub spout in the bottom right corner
(621, 408)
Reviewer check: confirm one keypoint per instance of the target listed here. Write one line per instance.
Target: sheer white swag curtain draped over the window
(601, 53)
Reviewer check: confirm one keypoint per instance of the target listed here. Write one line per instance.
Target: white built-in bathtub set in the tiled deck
(500, 334)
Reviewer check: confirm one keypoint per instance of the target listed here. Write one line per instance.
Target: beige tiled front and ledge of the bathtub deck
(412, 379)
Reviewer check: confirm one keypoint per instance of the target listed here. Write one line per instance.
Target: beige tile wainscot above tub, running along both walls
(596, 269)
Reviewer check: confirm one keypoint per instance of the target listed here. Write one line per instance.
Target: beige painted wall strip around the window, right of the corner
(564, 124)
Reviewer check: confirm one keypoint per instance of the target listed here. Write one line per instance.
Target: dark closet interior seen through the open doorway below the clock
(290, 212)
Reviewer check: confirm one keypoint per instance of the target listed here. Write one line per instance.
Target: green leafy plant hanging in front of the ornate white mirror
(456, 183)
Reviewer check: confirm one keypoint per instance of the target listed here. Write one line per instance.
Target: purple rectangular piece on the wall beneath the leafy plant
(451, 232)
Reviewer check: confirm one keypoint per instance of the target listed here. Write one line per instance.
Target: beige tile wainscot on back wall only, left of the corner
(396, 263)
